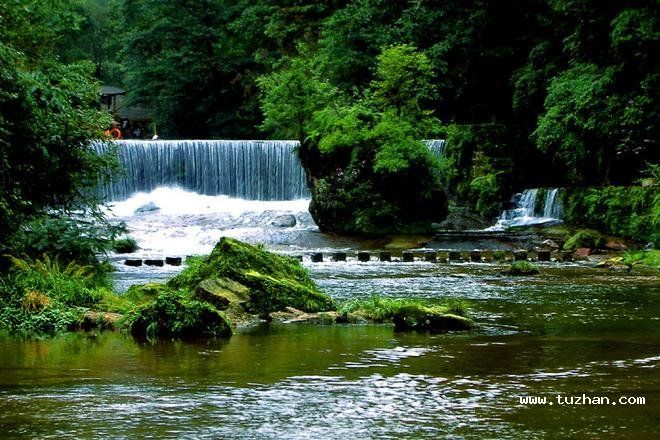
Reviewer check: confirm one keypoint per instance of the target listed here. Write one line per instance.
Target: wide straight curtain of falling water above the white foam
(252, 170)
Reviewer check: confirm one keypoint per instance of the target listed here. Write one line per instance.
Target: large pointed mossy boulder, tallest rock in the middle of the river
(273, 282)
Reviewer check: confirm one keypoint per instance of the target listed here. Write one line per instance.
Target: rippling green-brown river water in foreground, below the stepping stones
(569, 331)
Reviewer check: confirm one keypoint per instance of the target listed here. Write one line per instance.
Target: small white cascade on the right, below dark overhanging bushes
(534, 206)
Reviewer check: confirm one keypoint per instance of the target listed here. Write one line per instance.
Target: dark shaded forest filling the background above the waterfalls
(527, 93)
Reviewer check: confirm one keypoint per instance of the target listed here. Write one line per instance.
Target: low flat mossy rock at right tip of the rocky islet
(434, 319)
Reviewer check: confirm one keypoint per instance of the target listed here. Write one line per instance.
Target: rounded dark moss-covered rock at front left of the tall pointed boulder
(173, 313)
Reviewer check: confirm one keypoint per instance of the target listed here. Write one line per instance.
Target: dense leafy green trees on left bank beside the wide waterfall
(48, 114)
